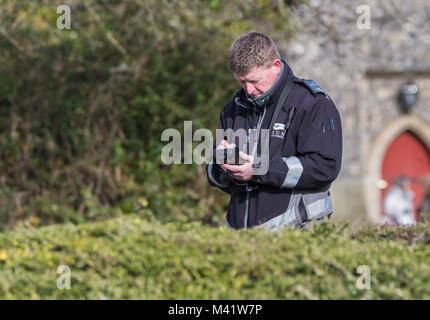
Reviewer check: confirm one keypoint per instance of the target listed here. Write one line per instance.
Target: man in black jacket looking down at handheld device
(305, 142)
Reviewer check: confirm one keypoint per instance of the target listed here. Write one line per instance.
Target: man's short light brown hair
(251, 49)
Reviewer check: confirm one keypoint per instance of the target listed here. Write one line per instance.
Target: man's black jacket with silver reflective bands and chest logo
(304, 157)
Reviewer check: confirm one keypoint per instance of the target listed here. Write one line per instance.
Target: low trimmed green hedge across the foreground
(135, 258)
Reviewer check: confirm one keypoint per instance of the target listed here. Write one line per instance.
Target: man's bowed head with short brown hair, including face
(255, 62)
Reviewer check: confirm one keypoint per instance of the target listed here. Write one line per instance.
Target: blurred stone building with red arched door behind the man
(362, 64)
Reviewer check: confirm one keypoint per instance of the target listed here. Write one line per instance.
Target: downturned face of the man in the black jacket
(259, 79)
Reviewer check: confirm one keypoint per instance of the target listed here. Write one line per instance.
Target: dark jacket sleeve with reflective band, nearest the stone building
(318, 155)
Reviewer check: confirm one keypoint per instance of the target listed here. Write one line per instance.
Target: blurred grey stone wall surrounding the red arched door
(362, 71)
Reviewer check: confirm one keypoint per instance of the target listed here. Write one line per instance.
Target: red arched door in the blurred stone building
(406, 156)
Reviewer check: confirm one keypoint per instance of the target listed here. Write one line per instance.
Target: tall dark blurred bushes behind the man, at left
(82, 110)
